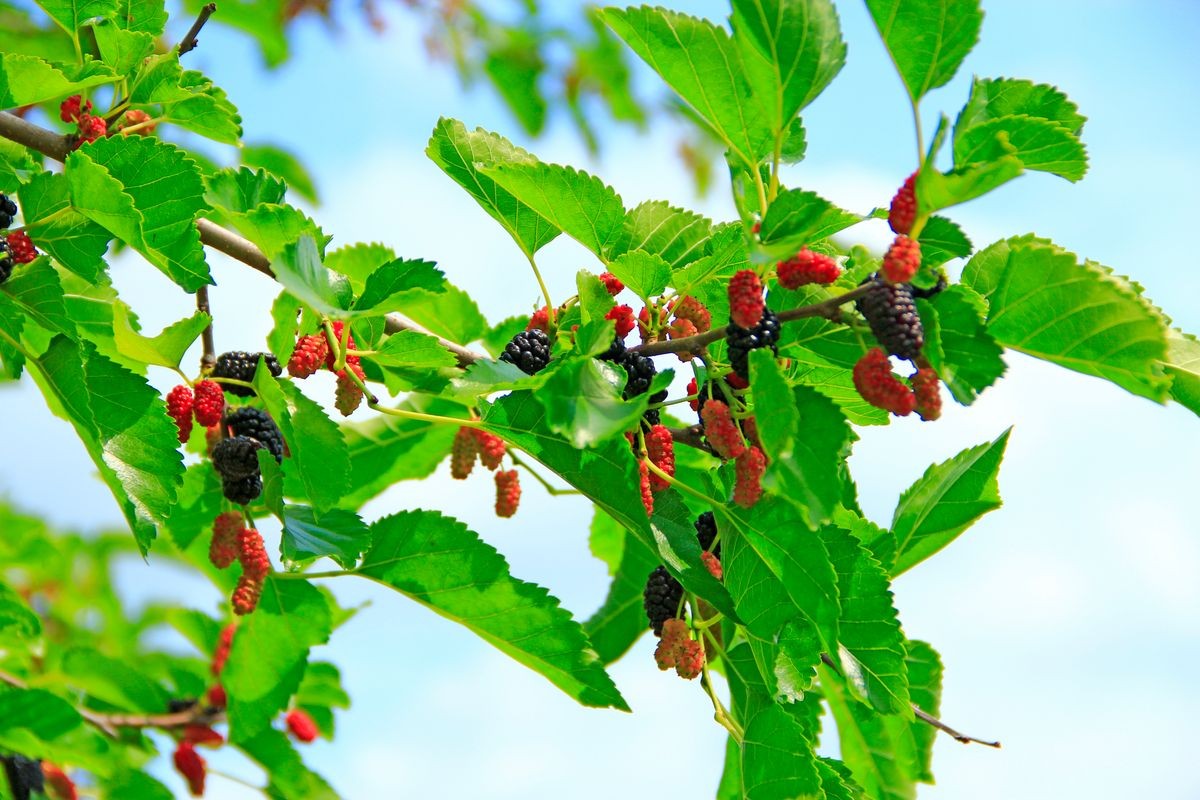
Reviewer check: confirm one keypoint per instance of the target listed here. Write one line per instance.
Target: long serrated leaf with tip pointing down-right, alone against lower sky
(442, 564)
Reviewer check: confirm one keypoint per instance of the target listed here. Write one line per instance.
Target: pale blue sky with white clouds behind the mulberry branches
(1069, 621)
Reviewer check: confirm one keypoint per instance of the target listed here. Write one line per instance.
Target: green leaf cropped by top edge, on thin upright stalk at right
(927, 39)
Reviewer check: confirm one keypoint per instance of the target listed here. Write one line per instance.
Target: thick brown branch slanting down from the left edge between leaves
(237, 248)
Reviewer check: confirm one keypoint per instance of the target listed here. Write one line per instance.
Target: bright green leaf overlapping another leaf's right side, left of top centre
(579, 204)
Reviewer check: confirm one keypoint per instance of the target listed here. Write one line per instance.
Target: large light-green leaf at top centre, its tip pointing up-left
(703, 64)
